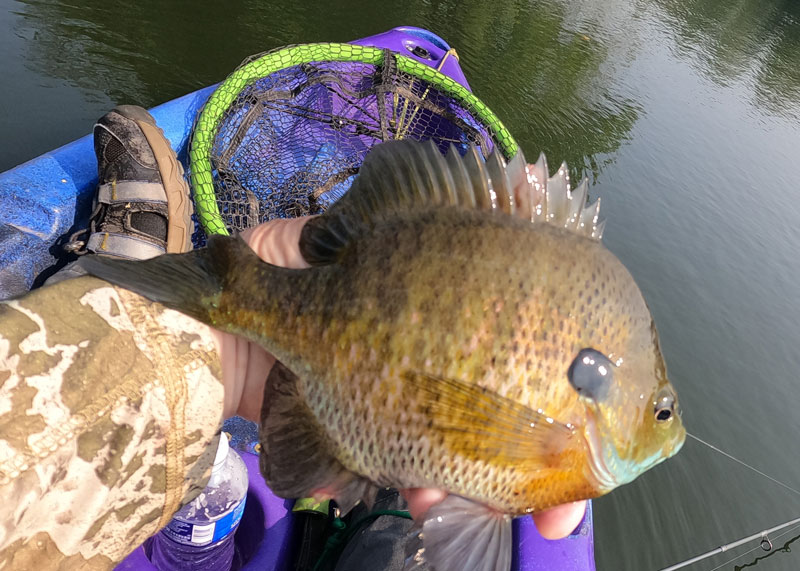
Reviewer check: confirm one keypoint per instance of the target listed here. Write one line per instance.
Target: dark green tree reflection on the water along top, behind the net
(149, 60)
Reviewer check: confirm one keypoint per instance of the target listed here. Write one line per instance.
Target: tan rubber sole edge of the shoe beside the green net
(179, 203)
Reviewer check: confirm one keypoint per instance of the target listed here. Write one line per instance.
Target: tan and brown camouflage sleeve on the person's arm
(108, 406)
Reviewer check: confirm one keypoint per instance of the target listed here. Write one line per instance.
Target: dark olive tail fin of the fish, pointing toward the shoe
(189, 282)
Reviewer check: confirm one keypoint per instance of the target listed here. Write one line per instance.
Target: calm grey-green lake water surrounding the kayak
(685, 114)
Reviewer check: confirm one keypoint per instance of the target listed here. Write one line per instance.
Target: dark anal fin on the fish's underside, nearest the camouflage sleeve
(296, 457)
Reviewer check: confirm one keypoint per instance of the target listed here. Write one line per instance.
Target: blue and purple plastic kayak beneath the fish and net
(46, 199)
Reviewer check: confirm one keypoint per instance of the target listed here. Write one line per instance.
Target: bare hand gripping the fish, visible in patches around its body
(246, 366)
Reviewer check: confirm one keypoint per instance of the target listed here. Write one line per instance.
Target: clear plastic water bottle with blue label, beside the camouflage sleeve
(200, 535)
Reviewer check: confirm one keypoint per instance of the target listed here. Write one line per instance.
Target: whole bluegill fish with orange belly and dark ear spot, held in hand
(461, 327)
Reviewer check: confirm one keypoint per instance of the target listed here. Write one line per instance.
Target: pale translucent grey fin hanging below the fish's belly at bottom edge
(459, 534)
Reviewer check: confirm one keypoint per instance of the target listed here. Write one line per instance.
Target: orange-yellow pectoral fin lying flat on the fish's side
(480, 424)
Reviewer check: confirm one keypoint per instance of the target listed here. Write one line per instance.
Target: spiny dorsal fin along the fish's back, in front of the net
(405, 175)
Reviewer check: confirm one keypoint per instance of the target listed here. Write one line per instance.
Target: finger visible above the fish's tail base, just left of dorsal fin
(278, 241)
